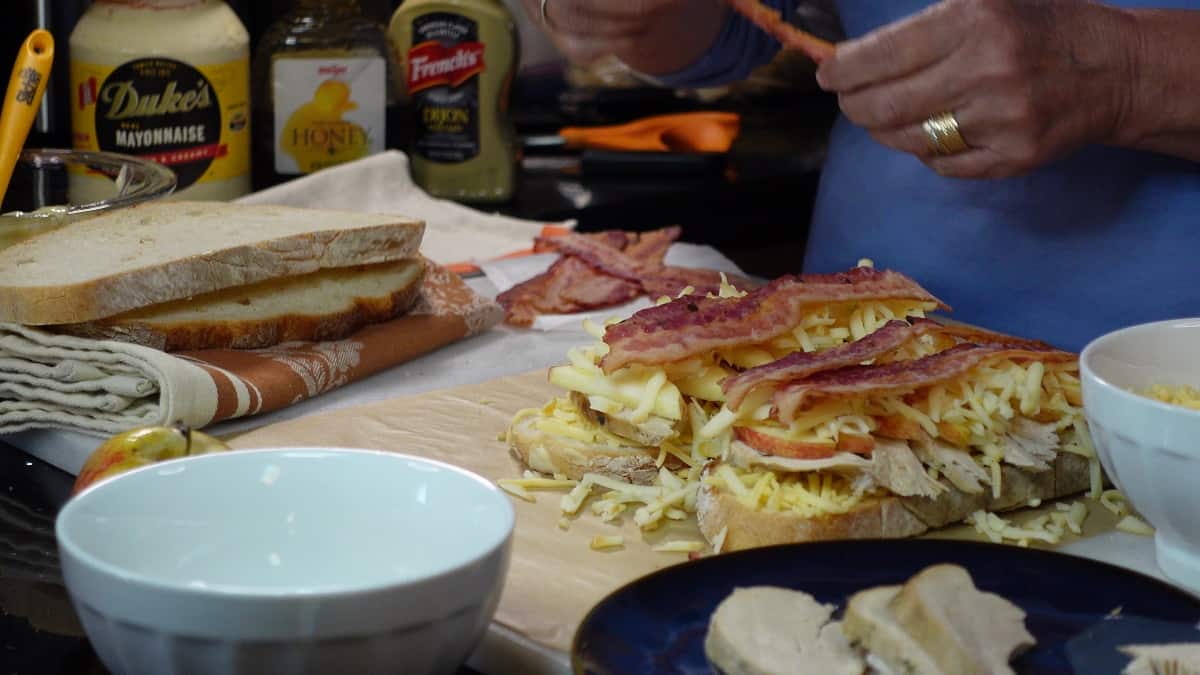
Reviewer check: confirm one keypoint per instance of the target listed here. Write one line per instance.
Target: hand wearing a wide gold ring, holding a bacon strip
(1028, 81)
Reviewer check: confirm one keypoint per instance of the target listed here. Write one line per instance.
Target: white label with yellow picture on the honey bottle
(328, 111)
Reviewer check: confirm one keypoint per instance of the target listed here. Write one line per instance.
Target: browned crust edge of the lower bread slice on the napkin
(343, 319)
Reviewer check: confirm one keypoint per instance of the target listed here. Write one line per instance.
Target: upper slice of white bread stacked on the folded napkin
(164, 252)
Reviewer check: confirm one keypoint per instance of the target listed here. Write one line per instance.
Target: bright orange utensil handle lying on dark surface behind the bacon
(692, 133)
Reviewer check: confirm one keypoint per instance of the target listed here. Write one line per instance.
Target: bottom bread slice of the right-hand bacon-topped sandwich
(881, 518)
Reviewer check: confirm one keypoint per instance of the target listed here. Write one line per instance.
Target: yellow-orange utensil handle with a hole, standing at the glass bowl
(26, 89)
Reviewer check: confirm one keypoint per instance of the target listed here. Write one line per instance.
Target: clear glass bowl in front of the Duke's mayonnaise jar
(52, 188)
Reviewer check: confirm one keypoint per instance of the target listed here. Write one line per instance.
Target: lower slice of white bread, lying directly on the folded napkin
(322, 306)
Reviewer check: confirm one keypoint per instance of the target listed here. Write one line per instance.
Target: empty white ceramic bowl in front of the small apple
(290, 560)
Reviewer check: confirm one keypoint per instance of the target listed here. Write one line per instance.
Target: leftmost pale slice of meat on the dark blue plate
(771, 631)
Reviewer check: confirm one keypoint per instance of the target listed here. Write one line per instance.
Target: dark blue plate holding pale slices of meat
(658, 623)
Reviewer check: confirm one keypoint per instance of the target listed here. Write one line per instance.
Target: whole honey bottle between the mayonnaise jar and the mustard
(323, 91)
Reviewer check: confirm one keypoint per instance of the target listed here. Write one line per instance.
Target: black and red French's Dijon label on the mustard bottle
(443, 82)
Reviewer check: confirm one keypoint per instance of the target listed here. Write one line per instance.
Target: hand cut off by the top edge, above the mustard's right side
(652, 37)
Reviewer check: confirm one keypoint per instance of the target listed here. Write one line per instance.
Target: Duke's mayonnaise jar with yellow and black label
(167, 81)
